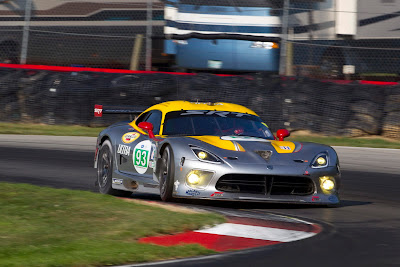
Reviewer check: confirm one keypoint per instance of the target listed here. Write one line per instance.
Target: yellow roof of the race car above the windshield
(169, 106)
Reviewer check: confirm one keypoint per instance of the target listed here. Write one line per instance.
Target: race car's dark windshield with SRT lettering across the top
(217, 123)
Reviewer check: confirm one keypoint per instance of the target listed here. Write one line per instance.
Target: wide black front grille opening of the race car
(265, 184)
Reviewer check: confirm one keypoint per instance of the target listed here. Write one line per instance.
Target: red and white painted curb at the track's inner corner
(240, 233)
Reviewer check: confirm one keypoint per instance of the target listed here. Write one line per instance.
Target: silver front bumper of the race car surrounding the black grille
(296, 171)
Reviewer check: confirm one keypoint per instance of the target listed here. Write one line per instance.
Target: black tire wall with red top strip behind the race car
(61, 95)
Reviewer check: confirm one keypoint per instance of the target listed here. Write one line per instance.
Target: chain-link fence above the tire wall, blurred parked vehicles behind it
(339, 39)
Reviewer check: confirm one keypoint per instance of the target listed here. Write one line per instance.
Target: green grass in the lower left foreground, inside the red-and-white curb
(42, 226)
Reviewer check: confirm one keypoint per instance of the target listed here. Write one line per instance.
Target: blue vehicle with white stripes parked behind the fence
(228, 27)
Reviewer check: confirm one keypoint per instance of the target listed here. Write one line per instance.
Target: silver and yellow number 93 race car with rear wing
(216, 151)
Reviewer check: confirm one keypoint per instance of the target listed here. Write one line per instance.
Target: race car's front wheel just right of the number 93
(166, 174)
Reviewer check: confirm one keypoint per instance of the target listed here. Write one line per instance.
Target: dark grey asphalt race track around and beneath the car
(363, 231)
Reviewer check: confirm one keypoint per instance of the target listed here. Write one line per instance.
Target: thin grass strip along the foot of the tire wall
(67, 130)
